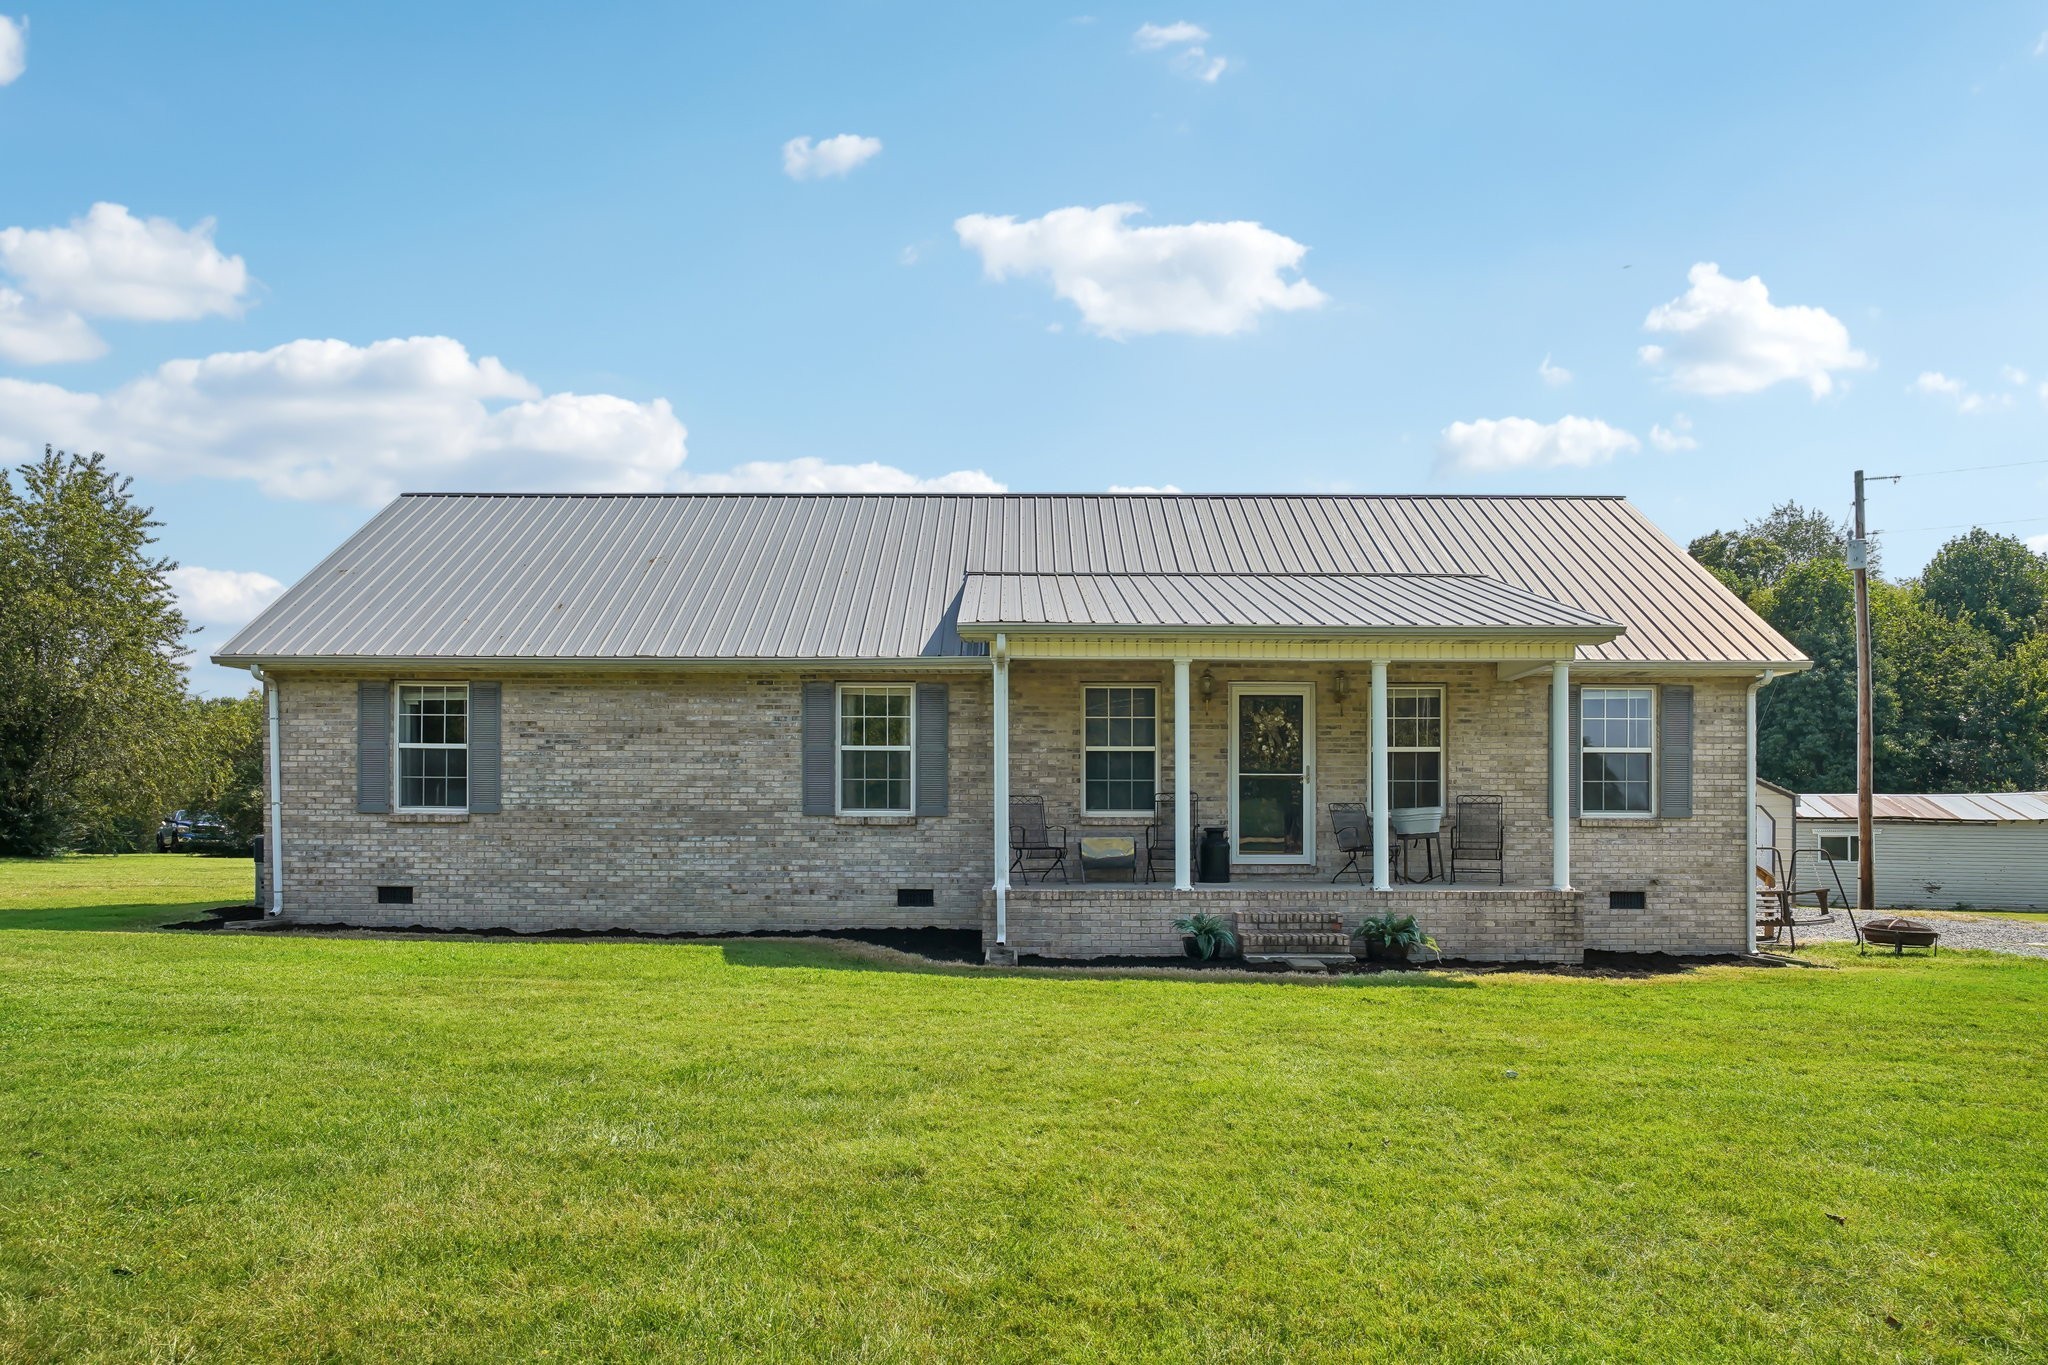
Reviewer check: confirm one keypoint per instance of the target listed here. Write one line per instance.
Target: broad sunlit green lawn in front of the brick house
(261, 1147)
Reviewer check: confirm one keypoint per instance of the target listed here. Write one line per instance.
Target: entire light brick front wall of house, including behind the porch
(671, 803)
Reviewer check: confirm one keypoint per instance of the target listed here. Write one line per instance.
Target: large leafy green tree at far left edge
(91, 660)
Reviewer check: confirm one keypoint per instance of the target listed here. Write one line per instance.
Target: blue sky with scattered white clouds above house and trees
(1359, 240)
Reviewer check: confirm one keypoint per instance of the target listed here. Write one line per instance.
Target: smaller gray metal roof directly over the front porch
(1338, 603)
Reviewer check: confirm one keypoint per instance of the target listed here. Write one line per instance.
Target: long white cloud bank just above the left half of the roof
(359, 425)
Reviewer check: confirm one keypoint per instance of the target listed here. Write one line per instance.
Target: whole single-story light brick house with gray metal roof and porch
(732, 713)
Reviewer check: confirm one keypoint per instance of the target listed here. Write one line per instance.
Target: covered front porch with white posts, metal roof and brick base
(1299, 740)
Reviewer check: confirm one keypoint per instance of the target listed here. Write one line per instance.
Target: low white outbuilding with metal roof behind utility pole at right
(1981, 850)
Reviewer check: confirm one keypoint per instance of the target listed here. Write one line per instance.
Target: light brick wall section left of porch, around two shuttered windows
(632, 801)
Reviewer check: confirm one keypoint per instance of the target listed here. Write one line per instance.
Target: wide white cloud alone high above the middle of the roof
(1203, 279)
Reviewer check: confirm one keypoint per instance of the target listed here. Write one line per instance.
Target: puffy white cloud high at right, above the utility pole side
(1727, 337)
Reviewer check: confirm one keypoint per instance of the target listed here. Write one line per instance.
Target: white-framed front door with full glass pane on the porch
(1273, 773)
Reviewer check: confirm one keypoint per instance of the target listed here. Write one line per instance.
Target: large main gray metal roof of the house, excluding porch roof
(763, 576)
